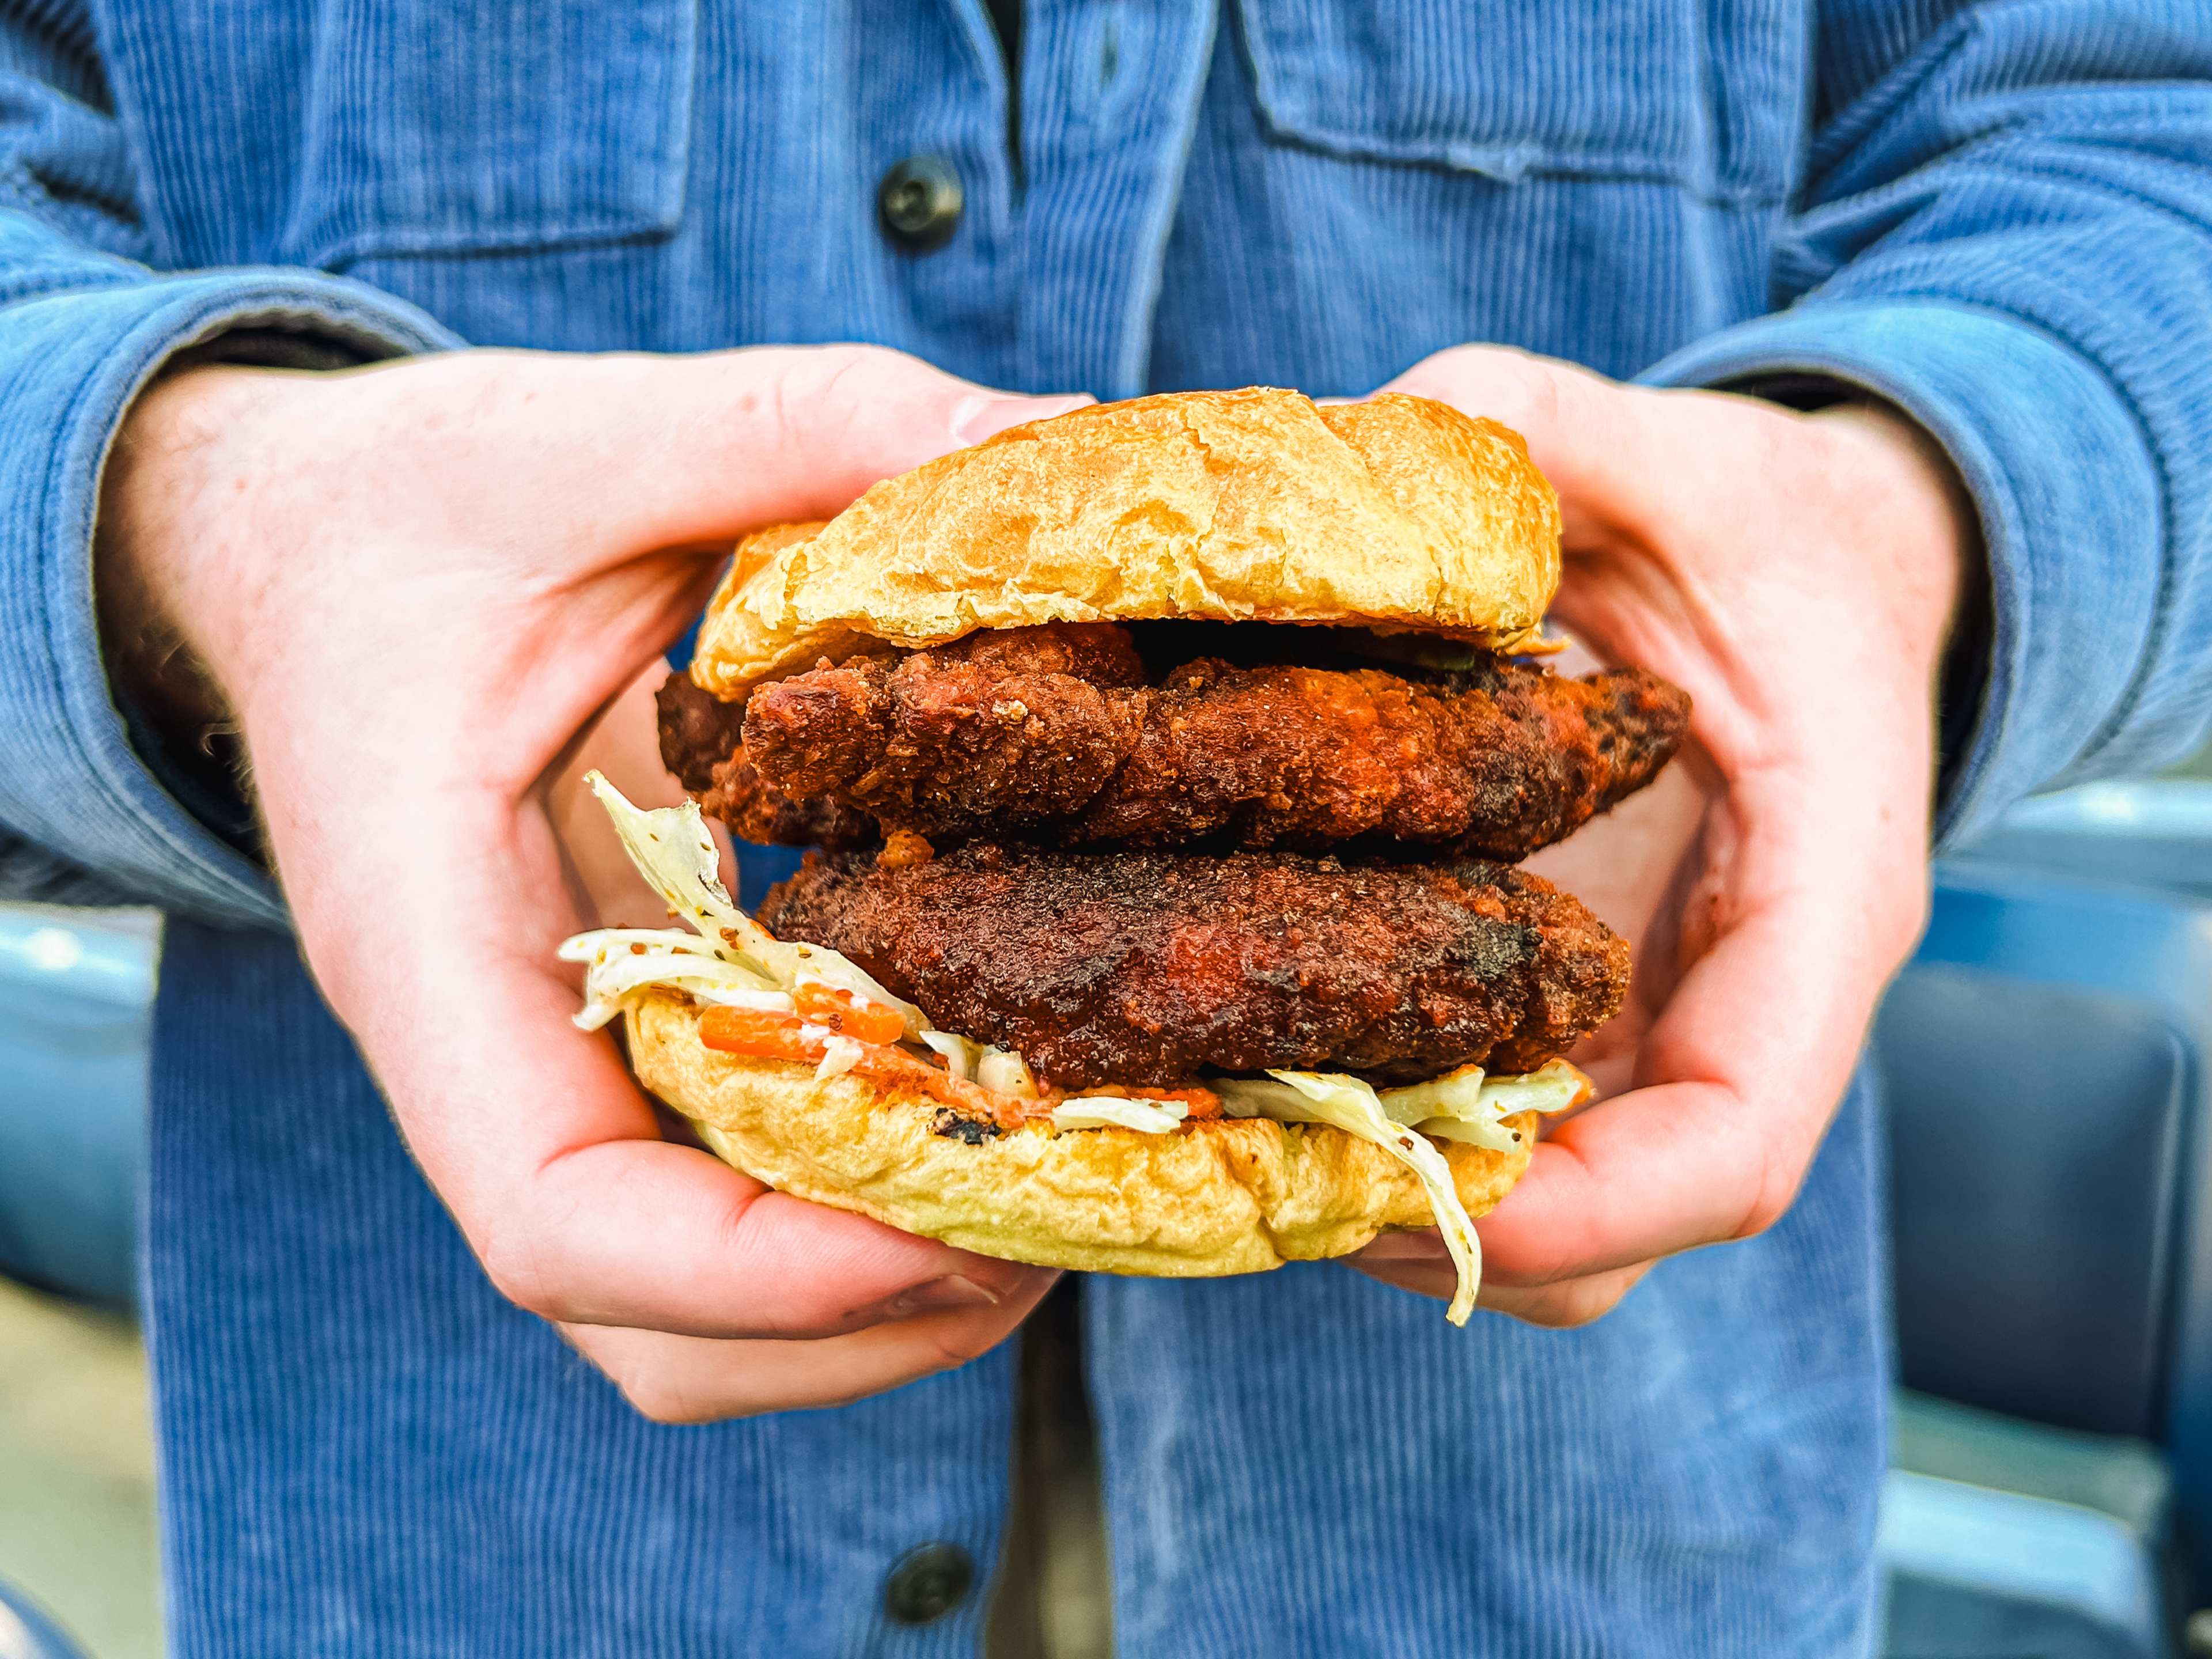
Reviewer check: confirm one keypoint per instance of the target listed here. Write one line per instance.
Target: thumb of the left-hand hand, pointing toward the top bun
(674, 450)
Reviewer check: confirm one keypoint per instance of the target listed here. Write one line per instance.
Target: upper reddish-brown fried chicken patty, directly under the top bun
(1061, 735)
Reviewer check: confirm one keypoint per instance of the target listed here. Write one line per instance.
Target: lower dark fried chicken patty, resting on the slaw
(1151, 968)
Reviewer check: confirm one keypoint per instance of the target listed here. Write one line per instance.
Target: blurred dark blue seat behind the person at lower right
(2049, 1098)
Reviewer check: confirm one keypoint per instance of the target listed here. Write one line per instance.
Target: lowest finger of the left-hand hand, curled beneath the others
(689, 1379)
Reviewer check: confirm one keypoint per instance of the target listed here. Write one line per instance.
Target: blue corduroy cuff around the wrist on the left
(70, 773)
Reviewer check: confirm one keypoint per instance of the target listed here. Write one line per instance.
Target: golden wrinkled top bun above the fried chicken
(1231, 505)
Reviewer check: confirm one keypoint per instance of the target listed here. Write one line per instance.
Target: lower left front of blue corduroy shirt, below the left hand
(368, 1452)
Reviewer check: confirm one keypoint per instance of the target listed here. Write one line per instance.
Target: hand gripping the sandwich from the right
(1797, 576)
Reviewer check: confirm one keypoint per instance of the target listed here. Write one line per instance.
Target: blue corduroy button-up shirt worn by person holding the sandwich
(1994, 216)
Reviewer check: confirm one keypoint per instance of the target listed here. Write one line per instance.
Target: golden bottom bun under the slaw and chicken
(1215, 1198)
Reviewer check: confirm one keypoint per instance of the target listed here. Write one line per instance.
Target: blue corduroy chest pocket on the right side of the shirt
(1702, 94)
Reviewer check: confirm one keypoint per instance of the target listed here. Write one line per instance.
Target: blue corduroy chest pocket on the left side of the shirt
(499, 125)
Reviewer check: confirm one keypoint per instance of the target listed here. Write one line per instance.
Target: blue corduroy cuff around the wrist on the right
(2069, 494)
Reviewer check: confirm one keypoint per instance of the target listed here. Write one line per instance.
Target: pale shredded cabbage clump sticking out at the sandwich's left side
(678, 859)
